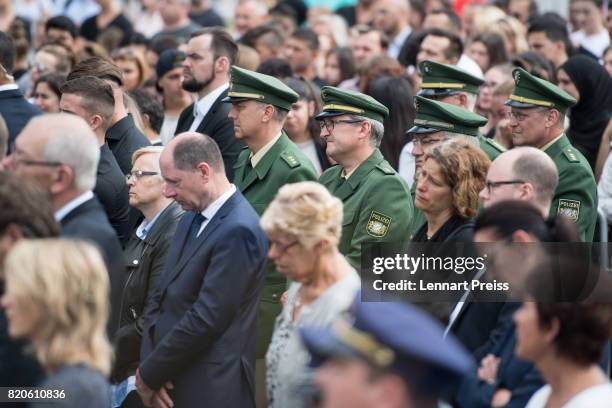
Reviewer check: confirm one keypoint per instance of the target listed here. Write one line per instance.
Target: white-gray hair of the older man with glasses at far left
(72, 142)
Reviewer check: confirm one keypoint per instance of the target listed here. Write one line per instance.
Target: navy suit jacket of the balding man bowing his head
(199, 329)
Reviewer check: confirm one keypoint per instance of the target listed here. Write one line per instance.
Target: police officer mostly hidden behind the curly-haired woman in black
(434, 123)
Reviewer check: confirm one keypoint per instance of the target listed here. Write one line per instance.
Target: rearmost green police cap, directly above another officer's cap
(443, 79)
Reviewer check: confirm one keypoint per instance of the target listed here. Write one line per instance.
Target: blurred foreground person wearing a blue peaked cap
(370, 364)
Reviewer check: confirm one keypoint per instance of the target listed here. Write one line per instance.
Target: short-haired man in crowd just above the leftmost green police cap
(301, 50)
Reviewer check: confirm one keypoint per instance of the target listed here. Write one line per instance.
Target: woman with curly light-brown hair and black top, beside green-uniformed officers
(447, 190)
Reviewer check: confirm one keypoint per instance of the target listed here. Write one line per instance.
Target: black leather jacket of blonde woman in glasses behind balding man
(144, 265)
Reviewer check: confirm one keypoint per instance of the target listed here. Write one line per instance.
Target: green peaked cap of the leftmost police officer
(247, 85)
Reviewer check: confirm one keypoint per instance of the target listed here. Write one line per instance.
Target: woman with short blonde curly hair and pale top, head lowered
(303, 224)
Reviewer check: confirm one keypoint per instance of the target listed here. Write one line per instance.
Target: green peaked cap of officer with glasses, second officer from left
(338, 101)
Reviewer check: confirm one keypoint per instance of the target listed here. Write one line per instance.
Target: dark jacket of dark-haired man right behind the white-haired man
(112, 191)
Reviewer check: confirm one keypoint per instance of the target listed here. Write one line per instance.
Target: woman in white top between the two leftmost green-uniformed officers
(301, 127)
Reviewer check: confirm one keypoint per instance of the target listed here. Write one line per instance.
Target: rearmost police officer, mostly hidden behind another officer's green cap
(450, 84)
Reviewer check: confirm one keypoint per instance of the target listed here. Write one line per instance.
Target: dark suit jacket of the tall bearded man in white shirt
(219, 127)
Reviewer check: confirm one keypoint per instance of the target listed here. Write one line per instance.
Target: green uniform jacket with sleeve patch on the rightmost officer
(576, 193)
